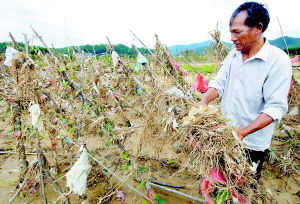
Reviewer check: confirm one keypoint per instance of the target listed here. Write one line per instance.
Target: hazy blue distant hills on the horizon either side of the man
(293, 43)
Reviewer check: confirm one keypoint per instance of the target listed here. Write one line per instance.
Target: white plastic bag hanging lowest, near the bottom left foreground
(77, 176)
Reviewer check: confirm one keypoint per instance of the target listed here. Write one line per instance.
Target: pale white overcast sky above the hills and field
(78, 22)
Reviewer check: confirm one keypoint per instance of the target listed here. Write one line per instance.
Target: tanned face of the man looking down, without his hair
(241, 35)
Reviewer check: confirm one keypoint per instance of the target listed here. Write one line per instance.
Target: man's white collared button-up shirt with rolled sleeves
(259, 85)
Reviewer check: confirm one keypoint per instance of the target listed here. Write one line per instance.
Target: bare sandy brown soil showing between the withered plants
(276, 188)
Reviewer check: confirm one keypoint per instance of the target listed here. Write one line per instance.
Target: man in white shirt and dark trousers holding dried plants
(253, 82)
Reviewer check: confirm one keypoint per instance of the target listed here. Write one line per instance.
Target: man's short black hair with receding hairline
(257, 13)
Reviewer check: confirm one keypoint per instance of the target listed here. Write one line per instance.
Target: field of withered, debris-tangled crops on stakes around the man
(125, 129)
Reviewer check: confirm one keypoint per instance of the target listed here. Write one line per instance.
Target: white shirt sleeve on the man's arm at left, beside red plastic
(219, 82)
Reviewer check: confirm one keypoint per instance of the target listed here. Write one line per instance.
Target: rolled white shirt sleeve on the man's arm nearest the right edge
(276, 89)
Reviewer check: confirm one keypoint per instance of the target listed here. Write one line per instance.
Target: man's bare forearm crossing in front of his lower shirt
(260, 122)
